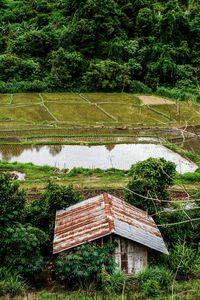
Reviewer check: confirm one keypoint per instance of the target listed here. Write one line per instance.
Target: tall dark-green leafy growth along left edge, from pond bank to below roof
(19, 244)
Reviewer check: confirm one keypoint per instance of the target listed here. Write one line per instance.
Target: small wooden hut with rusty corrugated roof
(104, 218)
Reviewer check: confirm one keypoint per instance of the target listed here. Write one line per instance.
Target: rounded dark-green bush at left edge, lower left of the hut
(20, 247)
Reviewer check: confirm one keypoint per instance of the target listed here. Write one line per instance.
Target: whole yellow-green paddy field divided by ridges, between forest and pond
(36, 116)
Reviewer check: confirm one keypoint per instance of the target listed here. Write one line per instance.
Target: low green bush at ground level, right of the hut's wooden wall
(154, 279)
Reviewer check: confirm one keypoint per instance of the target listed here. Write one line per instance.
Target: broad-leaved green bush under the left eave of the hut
(84, 264)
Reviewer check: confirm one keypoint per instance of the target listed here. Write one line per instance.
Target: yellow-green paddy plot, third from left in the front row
(130, 114)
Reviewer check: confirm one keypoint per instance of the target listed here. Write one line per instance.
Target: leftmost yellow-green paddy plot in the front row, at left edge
(33, 113)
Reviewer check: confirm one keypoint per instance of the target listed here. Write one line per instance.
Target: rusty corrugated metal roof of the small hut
(100, 216)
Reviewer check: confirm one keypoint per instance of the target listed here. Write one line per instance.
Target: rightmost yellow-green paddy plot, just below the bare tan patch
(182, 113)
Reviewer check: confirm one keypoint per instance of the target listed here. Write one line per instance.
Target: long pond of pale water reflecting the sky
(109, 156)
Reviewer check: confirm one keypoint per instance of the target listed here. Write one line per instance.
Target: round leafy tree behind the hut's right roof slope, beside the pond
(150, 179)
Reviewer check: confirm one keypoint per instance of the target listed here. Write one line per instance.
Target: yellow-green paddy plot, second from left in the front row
(81, 112)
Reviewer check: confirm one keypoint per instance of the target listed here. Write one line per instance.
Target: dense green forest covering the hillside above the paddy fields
(91, 45)
